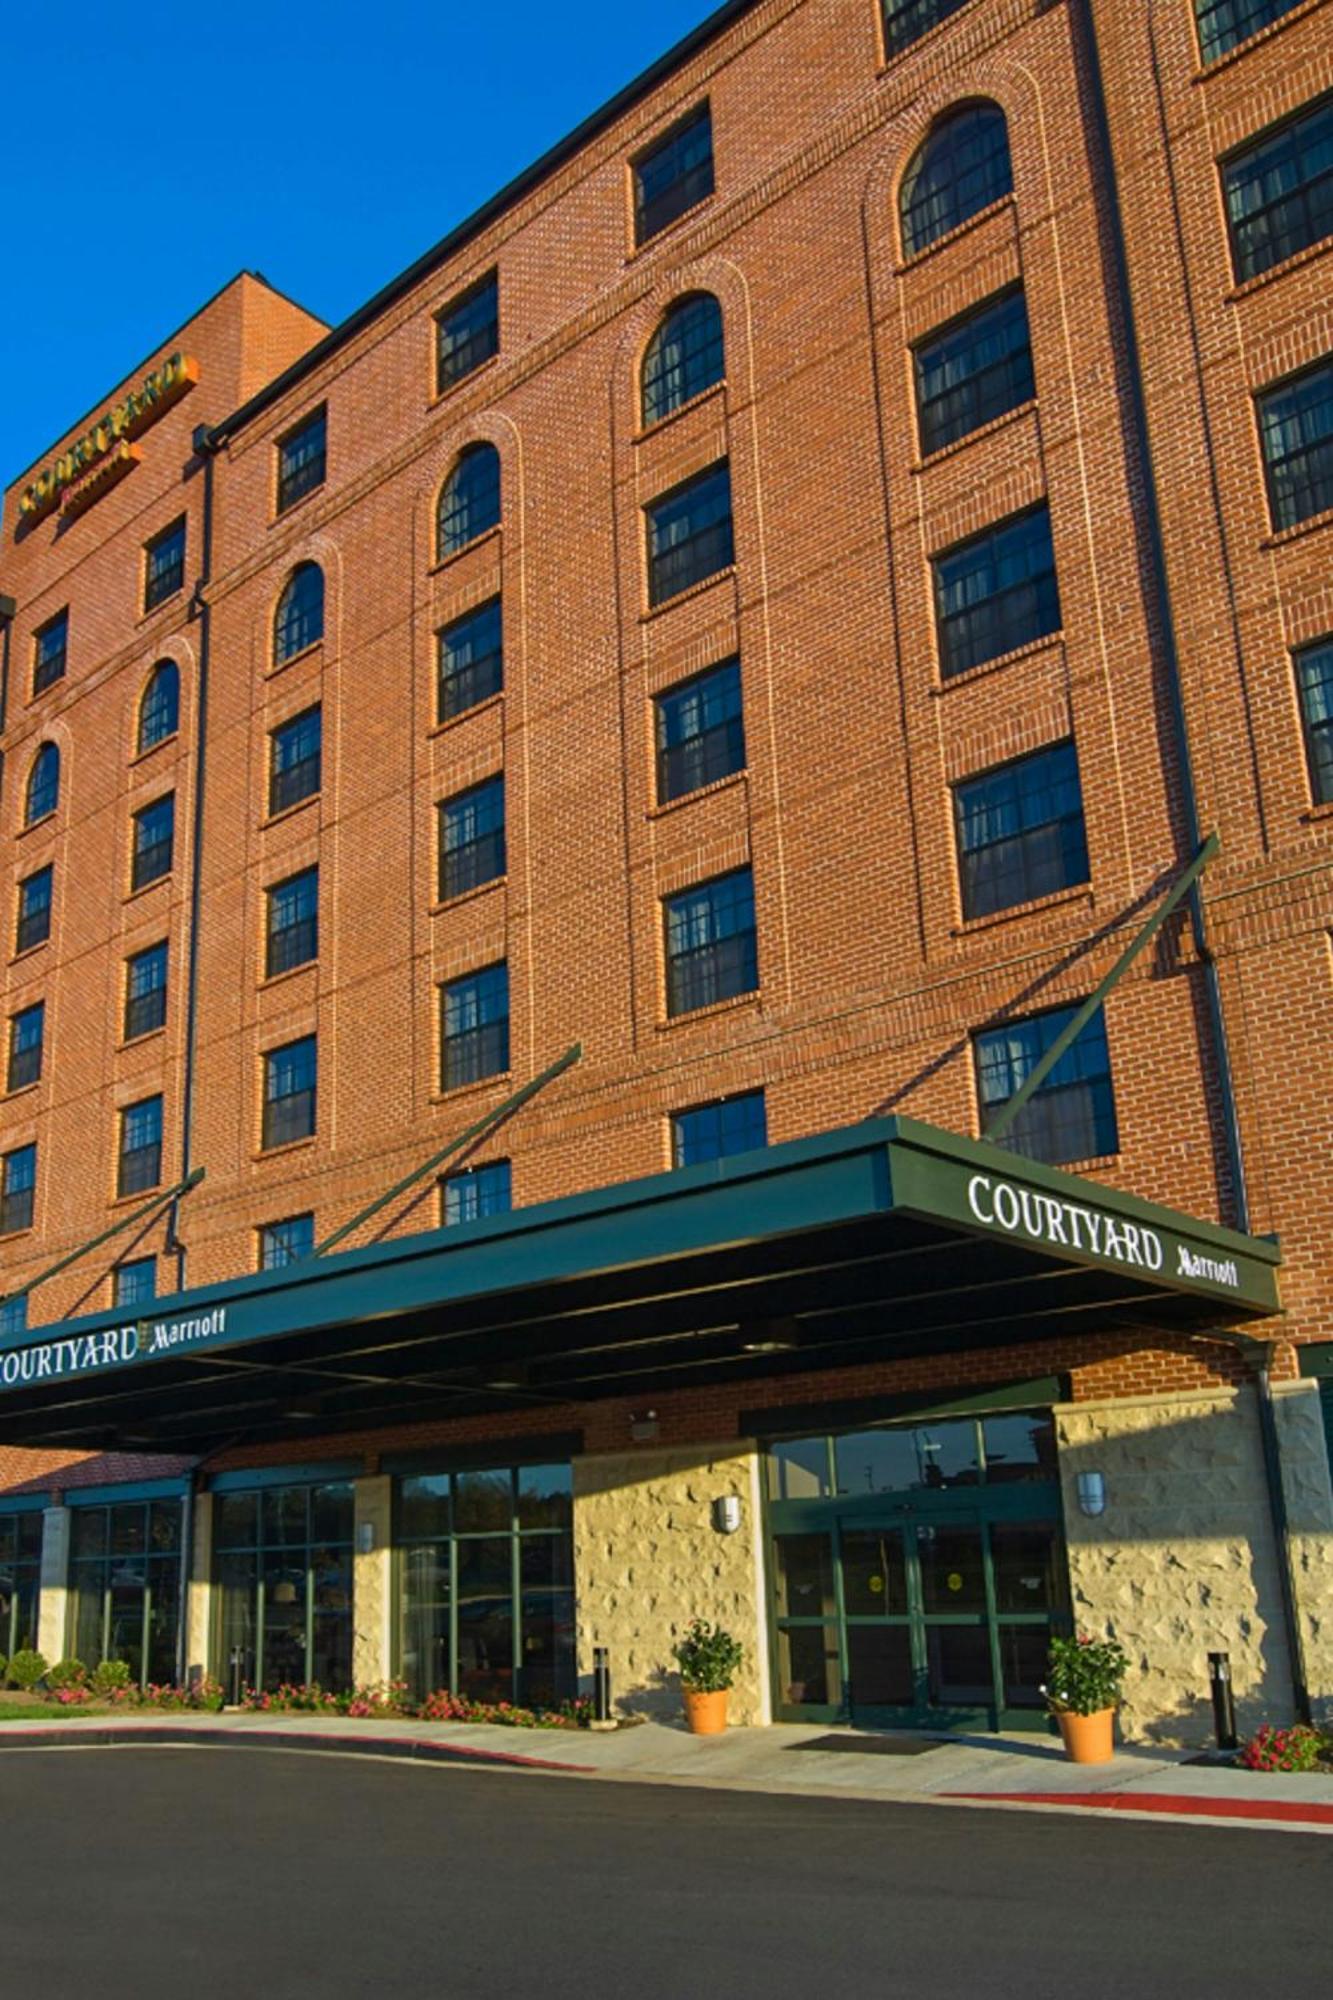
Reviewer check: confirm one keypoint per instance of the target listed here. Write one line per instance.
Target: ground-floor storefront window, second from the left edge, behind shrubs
(125, 1587)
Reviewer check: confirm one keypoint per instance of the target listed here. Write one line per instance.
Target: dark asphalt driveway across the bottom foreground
(241, 1875)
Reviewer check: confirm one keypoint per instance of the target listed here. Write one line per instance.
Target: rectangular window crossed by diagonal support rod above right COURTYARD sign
(1074, 1113)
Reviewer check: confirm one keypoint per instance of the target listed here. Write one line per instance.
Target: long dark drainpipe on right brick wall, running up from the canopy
(1136, 409)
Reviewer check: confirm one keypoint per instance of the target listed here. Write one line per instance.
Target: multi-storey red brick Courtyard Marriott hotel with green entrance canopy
(774, 603)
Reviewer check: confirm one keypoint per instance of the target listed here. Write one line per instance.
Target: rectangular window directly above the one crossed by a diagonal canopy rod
(1022, 831)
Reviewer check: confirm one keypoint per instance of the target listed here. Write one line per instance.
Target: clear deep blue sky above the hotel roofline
(337, 145)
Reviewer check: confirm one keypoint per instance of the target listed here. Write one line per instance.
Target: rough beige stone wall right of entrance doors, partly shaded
(1184, 1561)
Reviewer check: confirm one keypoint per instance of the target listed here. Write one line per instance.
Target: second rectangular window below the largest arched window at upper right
(996, 593)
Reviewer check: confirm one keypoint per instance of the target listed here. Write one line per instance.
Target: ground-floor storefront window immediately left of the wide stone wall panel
(485, 1583)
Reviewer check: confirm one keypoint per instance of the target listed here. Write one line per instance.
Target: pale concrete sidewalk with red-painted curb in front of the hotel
(788, 1759)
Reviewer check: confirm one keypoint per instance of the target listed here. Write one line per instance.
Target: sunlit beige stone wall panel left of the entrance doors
(647, 1559)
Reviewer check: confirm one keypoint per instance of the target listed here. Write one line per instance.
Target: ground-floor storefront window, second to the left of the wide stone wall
(283, 1579)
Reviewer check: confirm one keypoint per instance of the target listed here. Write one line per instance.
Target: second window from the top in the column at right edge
(1280, 193)
